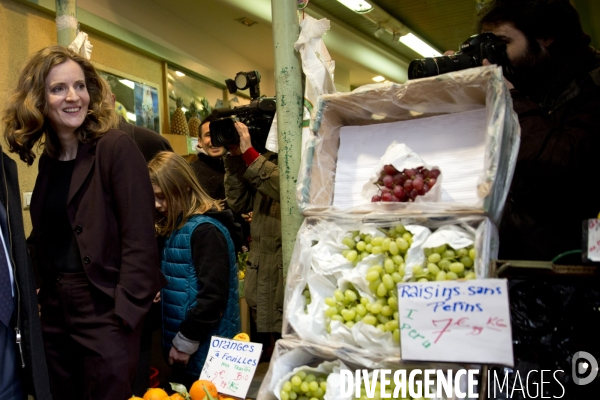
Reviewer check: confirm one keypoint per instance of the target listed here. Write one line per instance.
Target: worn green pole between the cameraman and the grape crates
(288, 84)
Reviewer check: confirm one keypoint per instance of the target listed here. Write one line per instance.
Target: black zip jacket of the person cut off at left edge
(35, 373)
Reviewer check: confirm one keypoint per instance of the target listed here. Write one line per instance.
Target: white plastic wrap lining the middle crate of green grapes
(317, 263)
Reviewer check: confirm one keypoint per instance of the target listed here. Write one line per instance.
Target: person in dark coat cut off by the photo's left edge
(22, 363)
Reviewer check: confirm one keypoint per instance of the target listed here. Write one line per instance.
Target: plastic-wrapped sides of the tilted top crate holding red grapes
(467, 90)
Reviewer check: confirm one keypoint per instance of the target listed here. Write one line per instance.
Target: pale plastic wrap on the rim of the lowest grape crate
(291, 354)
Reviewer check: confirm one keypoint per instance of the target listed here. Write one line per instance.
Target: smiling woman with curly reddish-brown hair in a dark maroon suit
(93, 225)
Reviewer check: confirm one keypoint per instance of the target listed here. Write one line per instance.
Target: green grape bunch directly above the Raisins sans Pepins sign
(445, 263)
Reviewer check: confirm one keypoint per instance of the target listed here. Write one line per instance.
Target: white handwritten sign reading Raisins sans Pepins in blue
(456, 321)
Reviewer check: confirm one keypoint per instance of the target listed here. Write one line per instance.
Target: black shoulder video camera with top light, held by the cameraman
(257, 116)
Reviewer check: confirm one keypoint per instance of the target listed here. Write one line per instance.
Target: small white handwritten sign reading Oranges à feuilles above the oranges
(231, 364)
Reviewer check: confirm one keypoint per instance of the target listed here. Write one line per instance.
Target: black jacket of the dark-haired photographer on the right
(554, 185)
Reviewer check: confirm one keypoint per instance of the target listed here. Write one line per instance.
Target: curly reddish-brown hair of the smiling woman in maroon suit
(24, 118)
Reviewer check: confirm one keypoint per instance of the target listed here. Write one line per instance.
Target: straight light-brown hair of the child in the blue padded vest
(183, 194)
